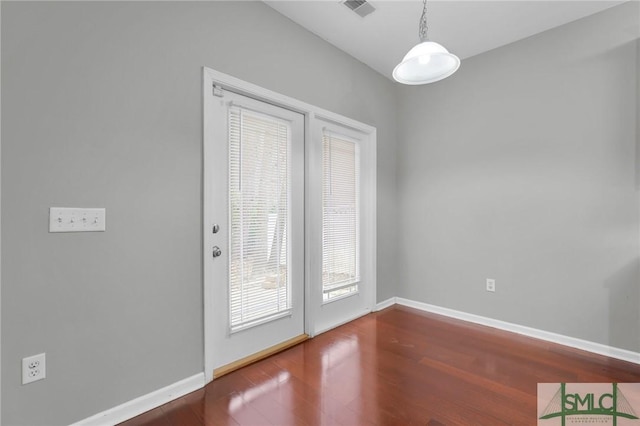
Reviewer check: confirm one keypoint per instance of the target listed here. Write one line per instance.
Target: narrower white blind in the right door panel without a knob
(340, 216)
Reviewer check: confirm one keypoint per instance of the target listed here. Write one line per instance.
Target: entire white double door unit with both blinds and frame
(289, 221)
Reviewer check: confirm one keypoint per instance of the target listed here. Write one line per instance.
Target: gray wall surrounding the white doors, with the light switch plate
(102, 108)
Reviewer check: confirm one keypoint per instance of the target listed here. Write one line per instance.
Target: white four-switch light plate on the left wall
(70, 219)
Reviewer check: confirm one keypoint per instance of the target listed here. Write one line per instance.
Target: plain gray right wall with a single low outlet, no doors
(522, 168)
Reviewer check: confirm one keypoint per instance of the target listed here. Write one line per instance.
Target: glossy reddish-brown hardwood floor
(399, 366)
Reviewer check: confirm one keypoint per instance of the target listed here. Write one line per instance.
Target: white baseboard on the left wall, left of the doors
(144, 403)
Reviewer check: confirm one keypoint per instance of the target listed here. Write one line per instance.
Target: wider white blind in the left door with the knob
(259, 188)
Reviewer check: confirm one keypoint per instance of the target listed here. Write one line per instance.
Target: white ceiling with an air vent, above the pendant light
(465, 28)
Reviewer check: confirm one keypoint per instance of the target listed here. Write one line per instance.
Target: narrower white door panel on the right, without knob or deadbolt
(342, 259)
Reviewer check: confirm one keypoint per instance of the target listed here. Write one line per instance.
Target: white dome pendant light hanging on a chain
(426, 62)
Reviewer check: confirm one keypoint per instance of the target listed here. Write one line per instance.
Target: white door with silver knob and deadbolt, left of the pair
(255, 179)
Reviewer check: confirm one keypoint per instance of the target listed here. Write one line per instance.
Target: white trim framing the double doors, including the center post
(311, 113)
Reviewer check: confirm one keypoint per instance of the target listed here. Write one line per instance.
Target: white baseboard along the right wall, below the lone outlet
(573, 342)
